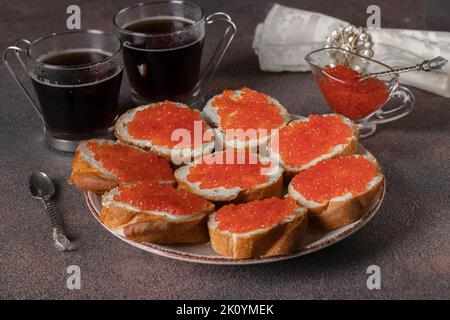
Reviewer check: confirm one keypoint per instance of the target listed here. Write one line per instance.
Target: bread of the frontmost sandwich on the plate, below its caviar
(283, 238)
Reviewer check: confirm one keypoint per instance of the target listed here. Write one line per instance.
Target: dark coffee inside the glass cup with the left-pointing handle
(79, 109)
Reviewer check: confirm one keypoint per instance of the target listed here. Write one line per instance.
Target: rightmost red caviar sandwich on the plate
(339, 191)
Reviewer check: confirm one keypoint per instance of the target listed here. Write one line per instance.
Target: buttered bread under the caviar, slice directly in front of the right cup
(183, 155)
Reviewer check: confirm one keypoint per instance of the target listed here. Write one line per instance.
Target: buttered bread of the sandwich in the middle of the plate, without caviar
(272, 187)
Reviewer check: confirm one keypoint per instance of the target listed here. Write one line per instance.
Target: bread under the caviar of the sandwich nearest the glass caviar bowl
(340, 150)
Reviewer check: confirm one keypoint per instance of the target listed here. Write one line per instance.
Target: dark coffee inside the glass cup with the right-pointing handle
(163, 67)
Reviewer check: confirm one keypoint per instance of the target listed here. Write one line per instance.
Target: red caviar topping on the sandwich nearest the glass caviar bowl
(303, 141)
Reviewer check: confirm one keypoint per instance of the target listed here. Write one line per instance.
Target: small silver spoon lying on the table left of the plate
(43, 188)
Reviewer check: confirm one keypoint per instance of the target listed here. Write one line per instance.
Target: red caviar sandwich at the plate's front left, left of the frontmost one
(156, 213)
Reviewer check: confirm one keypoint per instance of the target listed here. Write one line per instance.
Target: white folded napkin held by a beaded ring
(288, 35)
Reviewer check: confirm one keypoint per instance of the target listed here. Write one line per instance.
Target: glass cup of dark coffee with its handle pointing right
(163, 43)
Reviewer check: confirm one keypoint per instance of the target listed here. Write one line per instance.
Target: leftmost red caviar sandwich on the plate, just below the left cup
(101, 165)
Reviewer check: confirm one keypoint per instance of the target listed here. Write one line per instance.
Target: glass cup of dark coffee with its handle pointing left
(76, 76)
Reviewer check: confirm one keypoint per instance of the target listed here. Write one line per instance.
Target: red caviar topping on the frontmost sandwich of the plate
(254, 215)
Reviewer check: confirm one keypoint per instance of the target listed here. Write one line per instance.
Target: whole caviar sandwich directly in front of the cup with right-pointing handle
(171, 130)
